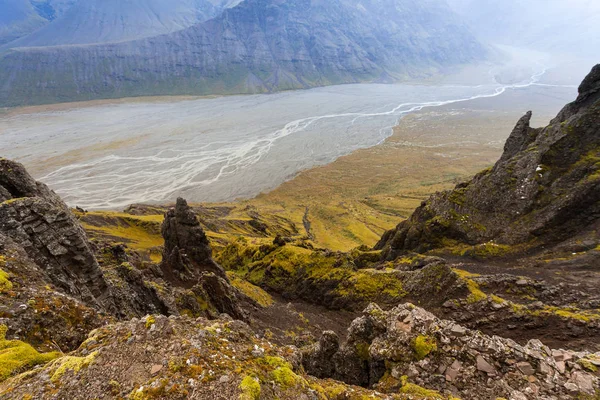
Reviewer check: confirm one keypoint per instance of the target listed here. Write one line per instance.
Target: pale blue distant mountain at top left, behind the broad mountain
(105, 21)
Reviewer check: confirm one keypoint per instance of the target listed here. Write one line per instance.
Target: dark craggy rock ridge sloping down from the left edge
(37, 220)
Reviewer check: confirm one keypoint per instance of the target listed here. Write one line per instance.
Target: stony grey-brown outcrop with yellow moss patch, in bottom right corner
(395, 350)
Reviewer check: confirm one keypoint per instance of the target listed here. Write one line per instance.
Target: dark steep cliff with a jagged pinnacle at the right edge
(544, 189)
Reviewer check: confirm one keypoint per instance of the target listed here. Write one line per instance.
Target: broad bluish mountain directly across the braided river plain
(256, 46)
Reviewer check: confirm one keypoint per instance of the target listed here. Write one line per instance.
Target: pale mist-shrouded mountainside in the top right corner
(551, 25)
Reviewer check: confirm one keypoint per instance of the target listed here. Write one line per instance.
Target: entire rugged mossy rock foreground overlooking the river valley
(503, 284)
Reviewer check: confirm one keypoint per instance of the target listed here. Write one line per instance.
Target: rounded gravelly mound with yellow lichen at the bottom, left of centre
(180, 358)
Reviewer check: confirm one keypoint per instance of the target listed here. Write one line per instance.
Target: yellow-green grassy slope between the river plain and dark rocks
(349, 202)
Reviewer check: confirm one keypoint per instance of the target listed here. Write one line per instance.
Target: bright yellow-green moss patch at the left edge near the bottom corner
(17, 356)
